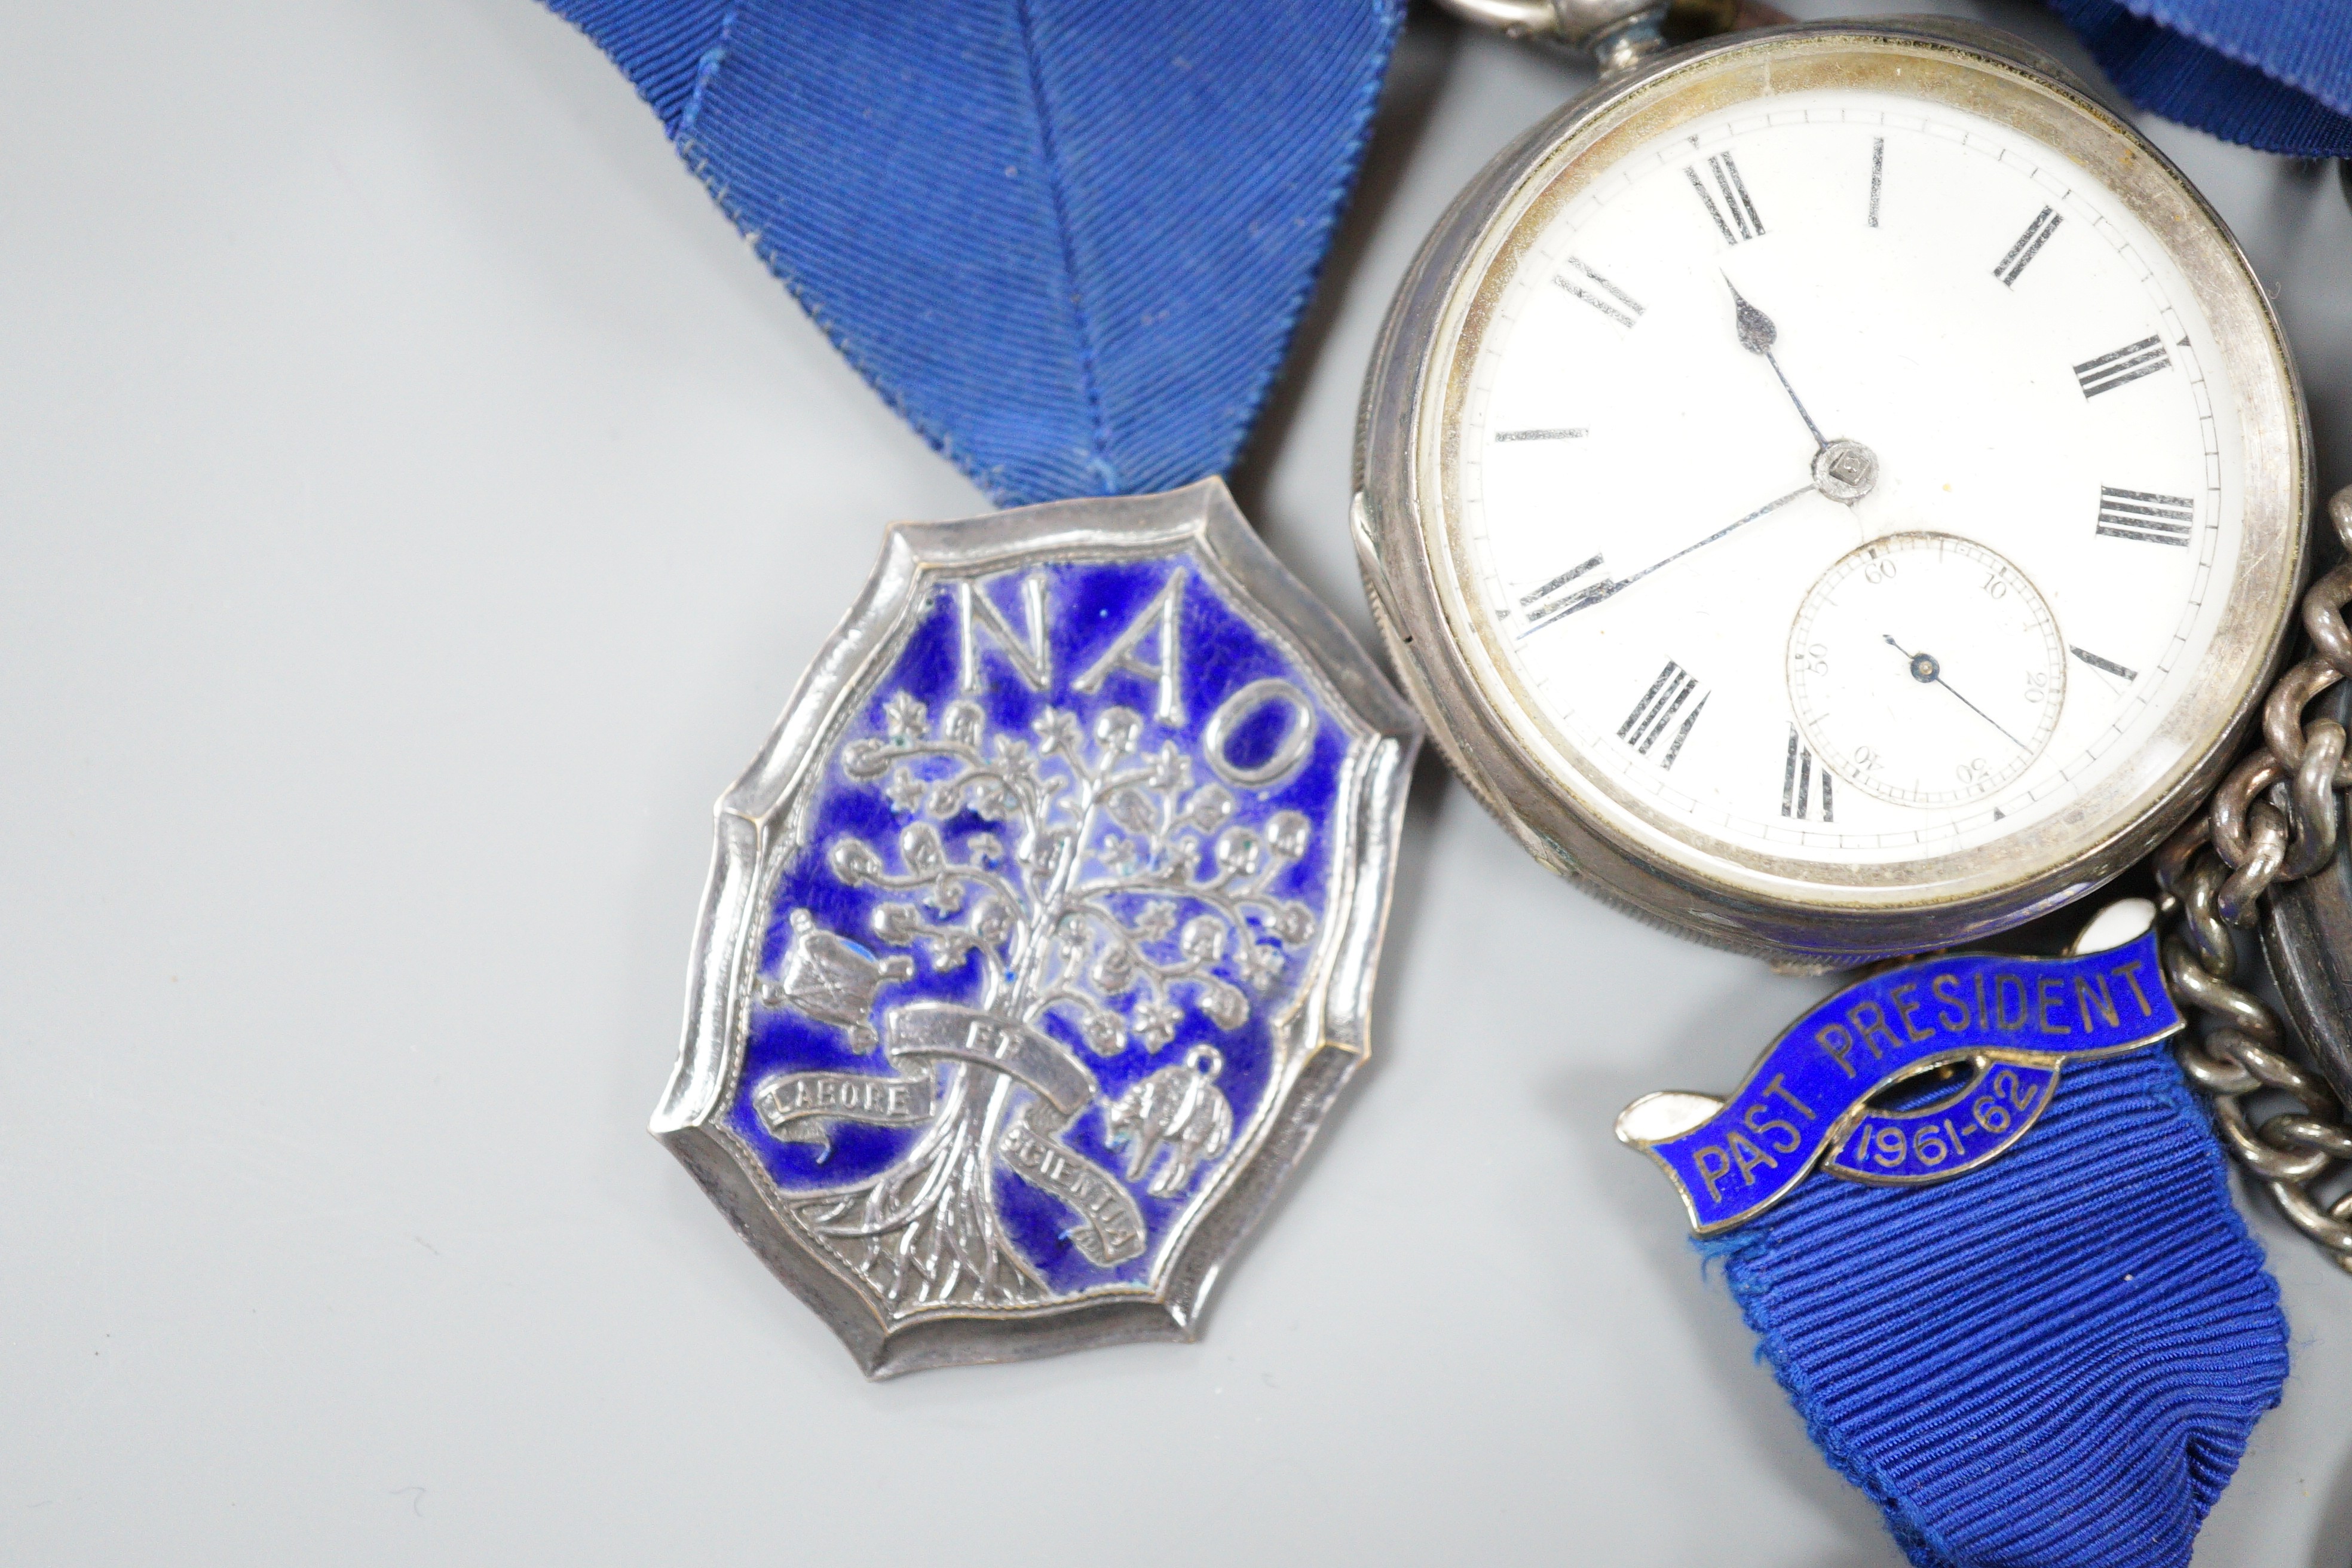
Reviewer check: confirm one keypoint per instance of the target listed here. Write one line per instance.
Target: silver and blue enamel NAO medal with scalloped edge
(1041, 934)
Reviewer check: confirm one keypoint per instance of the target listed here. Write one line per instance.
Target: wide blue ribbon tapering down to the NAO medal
(1064, 239)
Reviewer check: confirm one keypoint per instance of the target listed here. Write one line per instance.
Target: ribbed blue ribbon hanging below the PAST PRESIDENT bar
(2052, 1362)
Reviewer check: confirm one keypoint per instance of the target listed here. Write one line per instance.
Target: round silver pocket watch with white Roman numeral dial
(1852, 478)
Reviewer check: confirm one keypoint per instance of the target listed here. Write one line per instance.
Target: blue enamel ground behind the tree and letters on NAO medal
(1090, 605)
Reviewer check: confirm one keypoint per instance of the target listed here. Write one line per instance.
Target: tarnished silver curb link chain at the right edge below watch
(2273, 819)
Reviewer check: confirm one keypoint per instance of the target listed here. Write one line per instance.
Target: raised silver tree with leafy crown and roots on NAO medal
(1121, 894)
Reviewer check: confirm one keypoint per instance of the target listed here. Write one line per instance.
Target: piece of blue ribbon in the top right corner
(2273, 76)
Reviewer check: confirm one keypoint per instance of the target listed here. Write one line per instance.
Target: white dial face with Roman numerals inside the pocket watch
(1659, 413)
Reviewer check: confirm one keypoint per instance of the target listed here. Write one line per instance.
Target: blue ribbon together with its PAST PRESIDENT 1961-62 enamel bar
(2029, 1322)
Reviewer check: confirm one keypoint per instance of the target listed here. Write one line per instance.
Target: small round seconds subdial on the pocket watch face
(1925, 671)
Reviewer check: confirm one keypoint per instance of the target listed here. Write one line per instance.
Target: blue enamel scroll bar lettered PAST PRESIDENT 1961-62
(1979, 1040)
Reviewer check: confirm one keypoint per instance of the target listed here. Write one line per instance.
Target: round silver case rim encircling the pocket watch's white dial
(1401, 516)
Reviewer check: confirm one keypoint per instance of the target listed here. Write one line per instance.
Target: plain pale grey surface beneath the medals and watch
(417, 504)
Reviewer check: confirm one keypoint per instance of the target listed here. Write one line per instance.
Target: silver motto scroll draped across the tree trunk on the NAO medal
(916, 1038)
